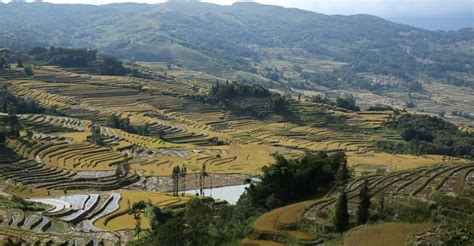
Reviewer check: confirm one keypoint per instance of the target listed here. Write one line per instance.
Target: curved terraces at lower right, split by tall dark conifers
(295, 222)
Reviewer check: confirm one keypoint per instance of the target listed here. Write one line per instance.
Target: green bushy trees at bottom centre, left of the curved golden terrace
(202, 222)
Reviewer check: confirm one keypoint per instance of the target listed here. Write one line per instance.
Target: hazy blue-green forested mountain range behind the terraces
(242, 37)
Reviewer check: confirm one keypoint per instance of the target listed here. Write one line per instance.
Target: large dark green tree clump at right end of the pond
(293, 179)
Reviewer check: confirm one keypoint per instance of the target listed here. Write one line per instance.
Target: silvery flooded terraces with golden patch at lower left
(76, 219)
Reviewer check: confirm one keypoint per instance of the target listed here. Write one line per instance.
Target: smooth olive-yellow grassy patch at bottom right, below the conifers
(386, 234)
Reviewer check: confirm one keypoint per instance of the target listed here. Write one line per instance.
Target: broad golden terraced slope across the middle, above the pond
(179, 122)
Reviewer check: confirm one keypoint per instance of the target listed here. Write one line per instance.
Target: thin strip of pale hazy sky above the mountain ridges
(376, 7)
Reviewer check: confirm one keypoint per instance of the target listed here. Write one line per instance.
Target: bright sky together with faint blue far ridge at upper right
(427, 14)
